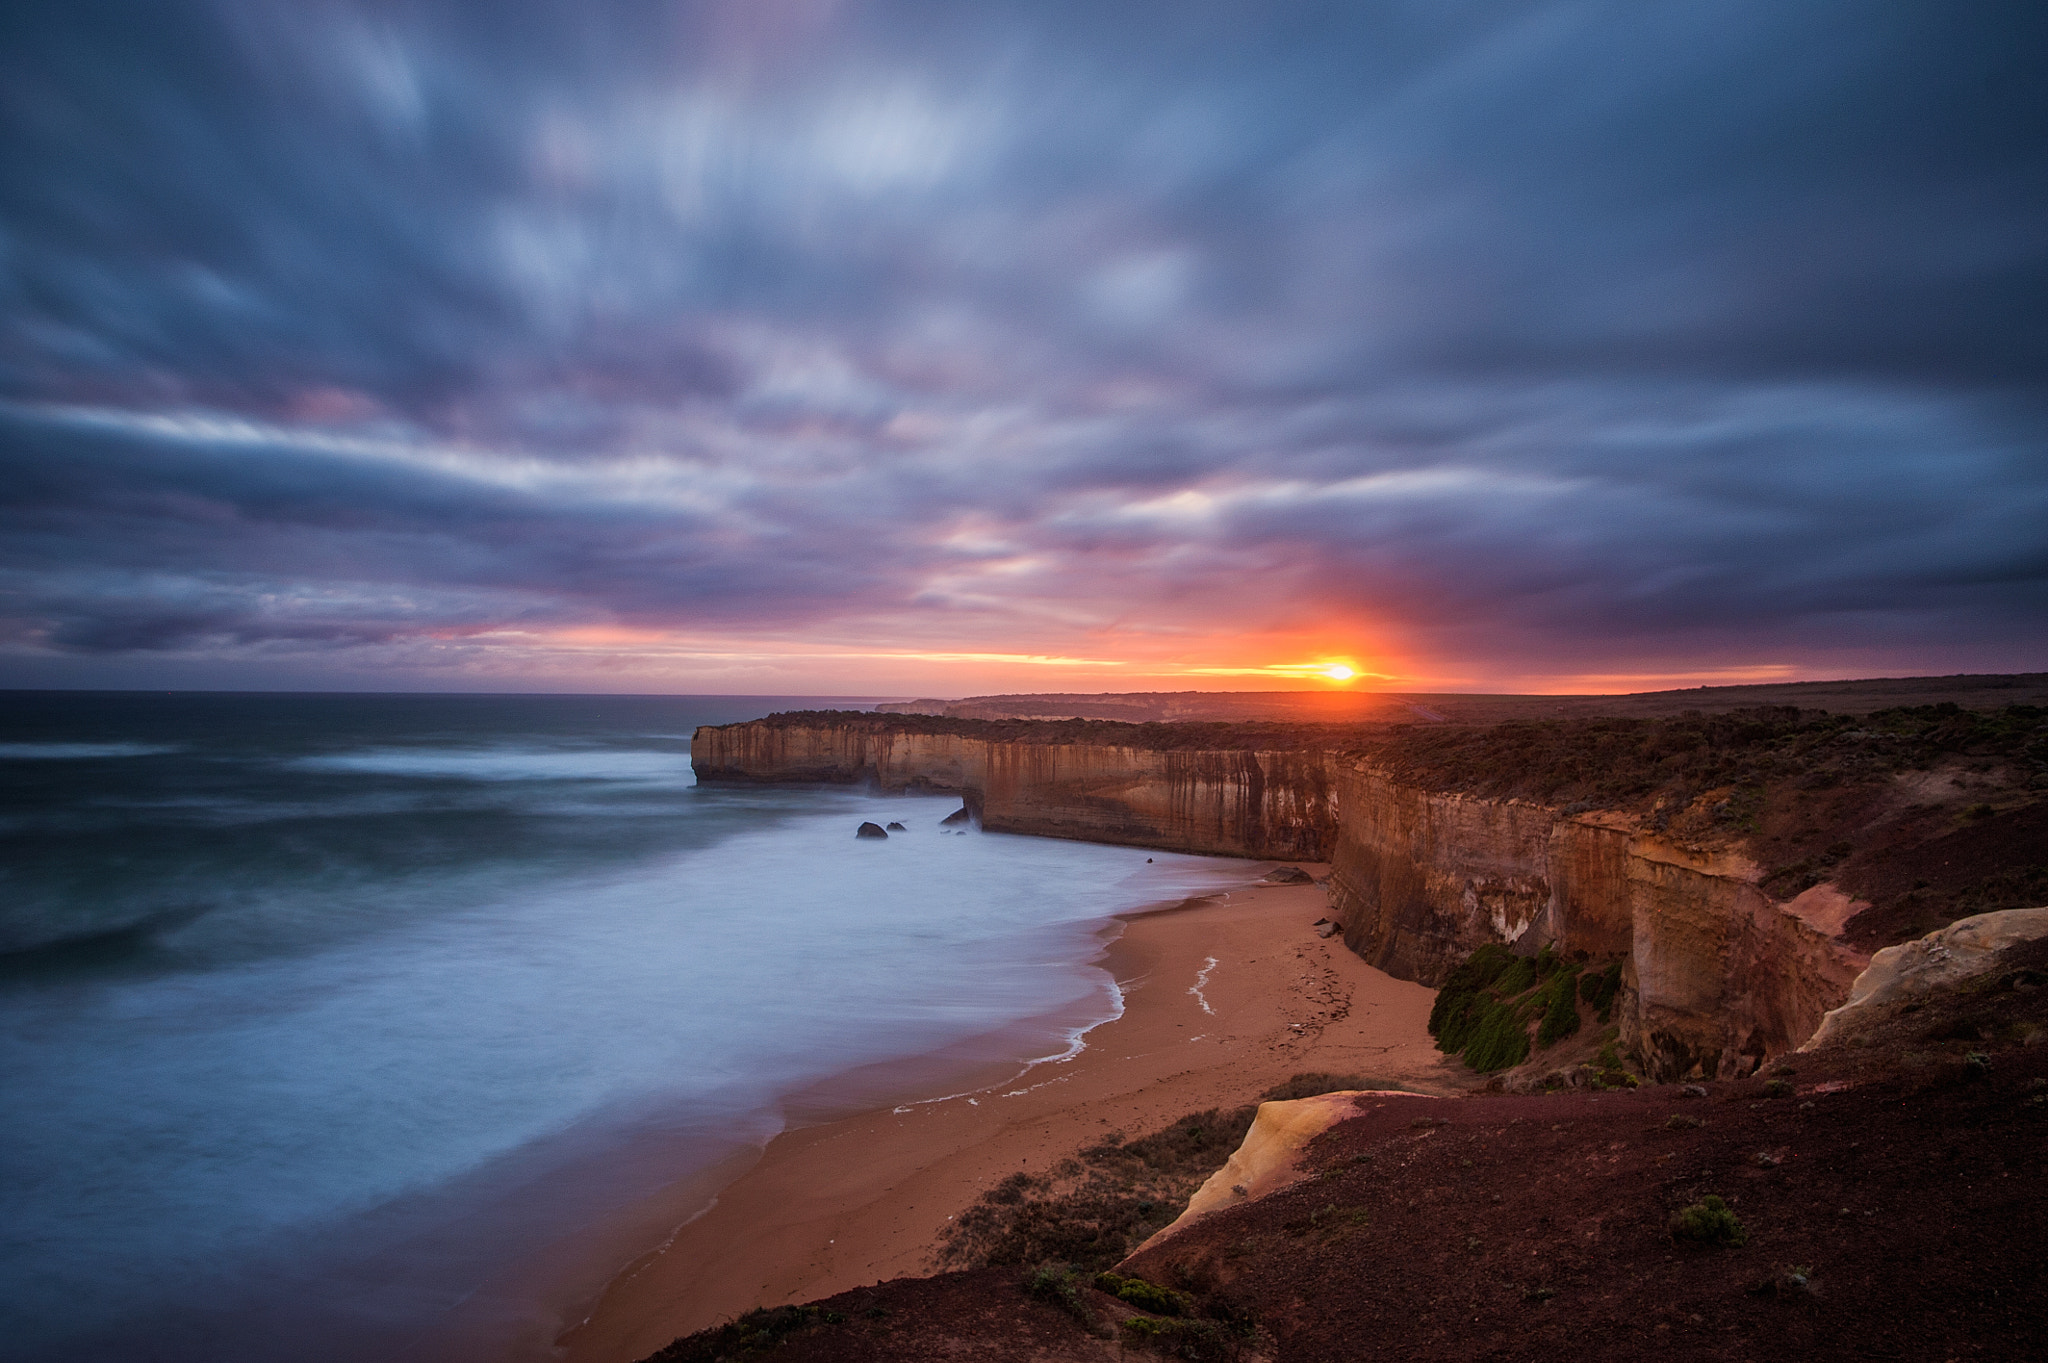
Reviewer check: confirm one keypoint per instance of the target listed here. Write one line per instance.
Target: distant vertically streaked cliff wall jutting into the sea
(1230, 803)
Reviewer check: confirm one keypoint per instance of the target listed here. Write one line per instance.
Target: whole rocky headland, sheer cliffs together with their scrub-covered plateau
(1740, 867)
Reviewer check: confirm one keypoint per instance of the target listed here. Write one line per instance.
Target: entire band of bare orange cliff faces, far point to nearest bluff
(1719, 973)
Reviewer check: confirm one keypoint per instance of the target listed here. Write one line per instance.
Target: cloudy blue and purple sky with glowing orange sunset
(939, 349)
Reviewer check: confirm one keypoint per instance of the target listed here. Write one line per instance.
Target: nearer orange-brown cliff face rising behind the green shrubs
(1719, 973)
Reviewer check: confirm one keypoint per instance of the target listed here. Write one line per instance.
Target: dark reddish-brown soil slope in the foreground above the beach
(1891, 1190)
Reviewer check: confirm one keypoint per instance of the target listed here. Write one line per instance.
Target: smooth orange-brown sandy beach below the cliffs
(1224, 998)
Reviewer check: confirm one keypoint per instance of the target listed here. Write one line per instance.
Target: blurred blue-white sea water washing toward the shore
(321, 1012)
